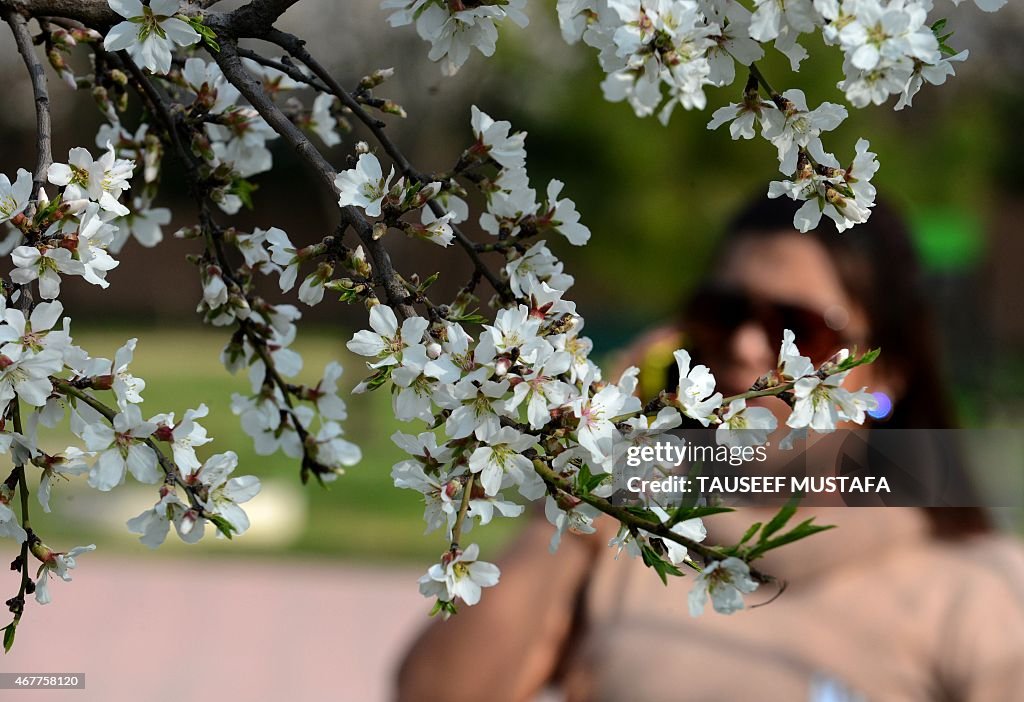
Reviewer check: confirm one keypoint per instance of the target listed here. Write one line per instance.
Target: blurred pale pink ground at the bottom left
(202, 630)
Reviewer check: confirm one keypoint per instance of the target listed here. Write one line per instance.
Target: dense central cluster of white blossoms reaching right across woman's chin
(521, 394)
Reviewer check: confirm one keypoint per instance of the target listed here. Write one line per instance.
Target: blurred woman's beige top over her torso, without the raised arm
(875, 610)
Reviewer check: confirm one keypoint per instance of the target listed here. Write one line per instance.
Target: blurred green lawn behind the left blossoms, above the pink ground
(362, 516)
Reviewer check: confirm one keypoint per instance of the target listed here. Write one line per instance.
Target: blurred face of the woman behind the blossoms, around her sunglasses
(794, 274)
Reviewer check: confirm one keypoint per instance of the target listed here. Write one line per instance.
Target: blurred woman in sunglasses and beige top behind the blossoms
(895, 604)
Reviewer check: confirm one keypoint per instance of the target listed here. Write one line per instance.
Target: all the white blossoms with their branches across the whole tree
(510, 403)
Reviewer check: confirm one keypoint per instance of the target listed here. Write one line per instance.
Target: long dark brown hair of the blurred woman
(878, 267)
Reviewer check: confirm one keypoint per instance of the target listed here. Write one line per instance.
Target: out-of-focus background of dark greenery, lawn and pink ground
(322, 592)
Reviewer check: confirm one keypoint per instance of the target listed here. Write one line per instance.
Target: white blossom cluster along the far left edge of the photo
(48, 381)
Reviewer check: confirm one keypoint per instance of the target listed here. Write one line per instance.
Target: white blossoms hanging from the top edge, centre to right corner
(662, 54)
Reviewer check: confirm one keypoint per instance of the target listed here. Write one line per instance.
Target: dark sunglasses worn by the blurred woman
(715, 314)
